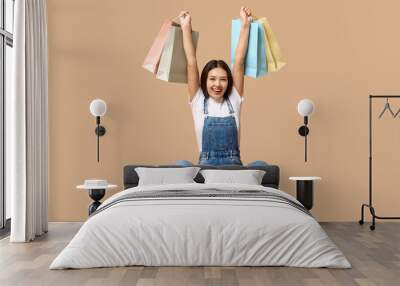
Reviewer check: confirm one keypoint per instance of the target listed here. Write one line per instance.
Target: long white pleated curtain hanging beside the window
(27, 123)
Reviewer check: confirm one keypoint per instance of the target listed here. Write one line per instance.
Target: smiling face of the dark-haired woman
(217, 83)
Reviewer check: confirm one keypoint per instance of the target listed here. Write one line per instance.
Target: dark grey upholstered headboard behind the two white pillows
(270, 179)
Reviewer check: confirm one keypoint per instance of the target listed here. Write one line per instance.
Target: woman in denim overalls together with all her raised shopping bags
(216, 93)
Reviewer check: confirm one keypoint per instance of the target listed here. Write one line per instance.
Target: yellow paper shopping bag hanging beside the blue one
(274, 55)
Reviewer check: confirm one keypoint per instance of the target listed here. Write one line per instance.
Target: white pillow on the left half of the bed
(162, 176)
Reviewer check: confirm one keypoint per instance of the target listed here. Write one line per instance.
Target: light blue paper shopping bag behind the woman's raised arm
(256, 61)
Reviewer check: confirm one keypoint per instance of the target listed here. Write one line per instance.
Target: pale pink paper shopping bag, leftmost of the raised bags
(153, 57)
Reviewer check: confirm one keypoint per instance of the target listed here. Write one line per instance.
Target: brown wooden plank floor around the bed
(375, 257)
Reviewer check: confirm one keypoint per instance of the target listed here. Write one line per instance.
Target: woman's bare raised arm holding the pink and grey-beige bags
(190, 52)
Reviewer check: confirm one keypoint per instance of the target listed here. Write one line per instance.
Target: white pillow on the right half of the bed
(248, 177)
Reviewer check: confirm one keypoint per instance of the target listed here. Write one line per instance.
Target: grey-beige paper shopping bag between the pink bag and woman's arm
(173, 64)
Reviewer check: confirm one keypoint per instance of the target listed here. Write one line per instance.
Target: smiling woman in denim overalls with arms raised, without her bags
(215, 97)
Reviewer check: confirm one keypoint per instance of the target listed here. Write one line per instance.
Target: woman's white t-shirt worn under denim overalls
(215, 109)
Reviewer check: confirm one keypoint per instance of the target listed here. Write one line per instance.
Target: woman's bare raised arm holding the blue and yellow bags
(241, 50)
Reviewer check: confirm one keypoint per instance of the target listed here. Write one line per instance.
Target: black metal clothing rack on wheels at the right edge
(369, 205)
